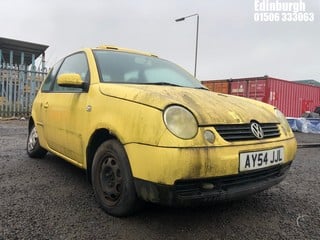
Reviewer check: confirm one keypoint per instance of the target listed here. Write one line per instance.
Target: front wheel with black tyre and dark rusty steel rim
(112, 180)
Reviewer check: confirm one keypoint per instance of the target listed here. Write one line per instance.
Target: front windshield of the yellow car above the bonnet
(122, 67)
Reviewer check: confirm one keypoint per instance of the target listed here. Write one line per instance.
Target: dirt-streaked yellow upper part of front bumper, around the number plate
(166, 165)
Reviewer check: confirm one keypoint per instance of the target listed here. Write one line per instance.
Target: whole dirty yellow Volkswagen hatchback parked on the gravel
(145, 129)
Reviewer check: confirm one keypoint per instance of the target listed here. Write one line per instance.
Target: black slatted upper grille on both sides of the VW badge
(242, 132)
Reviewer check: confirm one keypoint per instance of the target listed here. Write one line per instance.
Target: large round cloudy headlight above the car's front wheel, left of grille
(180, 122)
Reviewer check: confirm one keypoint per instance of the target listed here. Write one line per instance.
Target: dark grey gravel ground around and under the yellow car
(51, 199)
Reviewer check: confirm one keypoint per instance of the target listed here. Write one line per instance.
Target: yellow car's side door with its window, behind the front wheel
(65, 113)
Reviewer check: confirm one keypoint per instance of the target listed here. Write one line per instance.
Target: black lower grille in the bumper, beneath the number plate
(194, 188)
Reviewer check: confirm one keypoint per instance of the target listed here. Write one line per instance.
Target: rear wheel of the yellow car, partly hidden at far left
(34, 149)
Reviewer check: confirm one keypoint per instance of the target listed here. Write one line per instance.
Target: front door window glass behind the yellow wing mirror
(76, 63)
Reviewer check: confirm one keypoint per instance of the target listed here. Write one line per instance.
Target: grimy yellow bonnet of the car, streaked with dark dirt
(208, 107)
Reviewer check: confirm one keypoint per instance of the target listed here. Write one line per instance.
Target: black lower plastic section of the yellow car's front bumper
(206, 190)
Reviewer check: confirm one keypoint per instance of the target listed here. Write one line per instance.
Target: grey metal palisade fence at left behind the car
(18, 87)
